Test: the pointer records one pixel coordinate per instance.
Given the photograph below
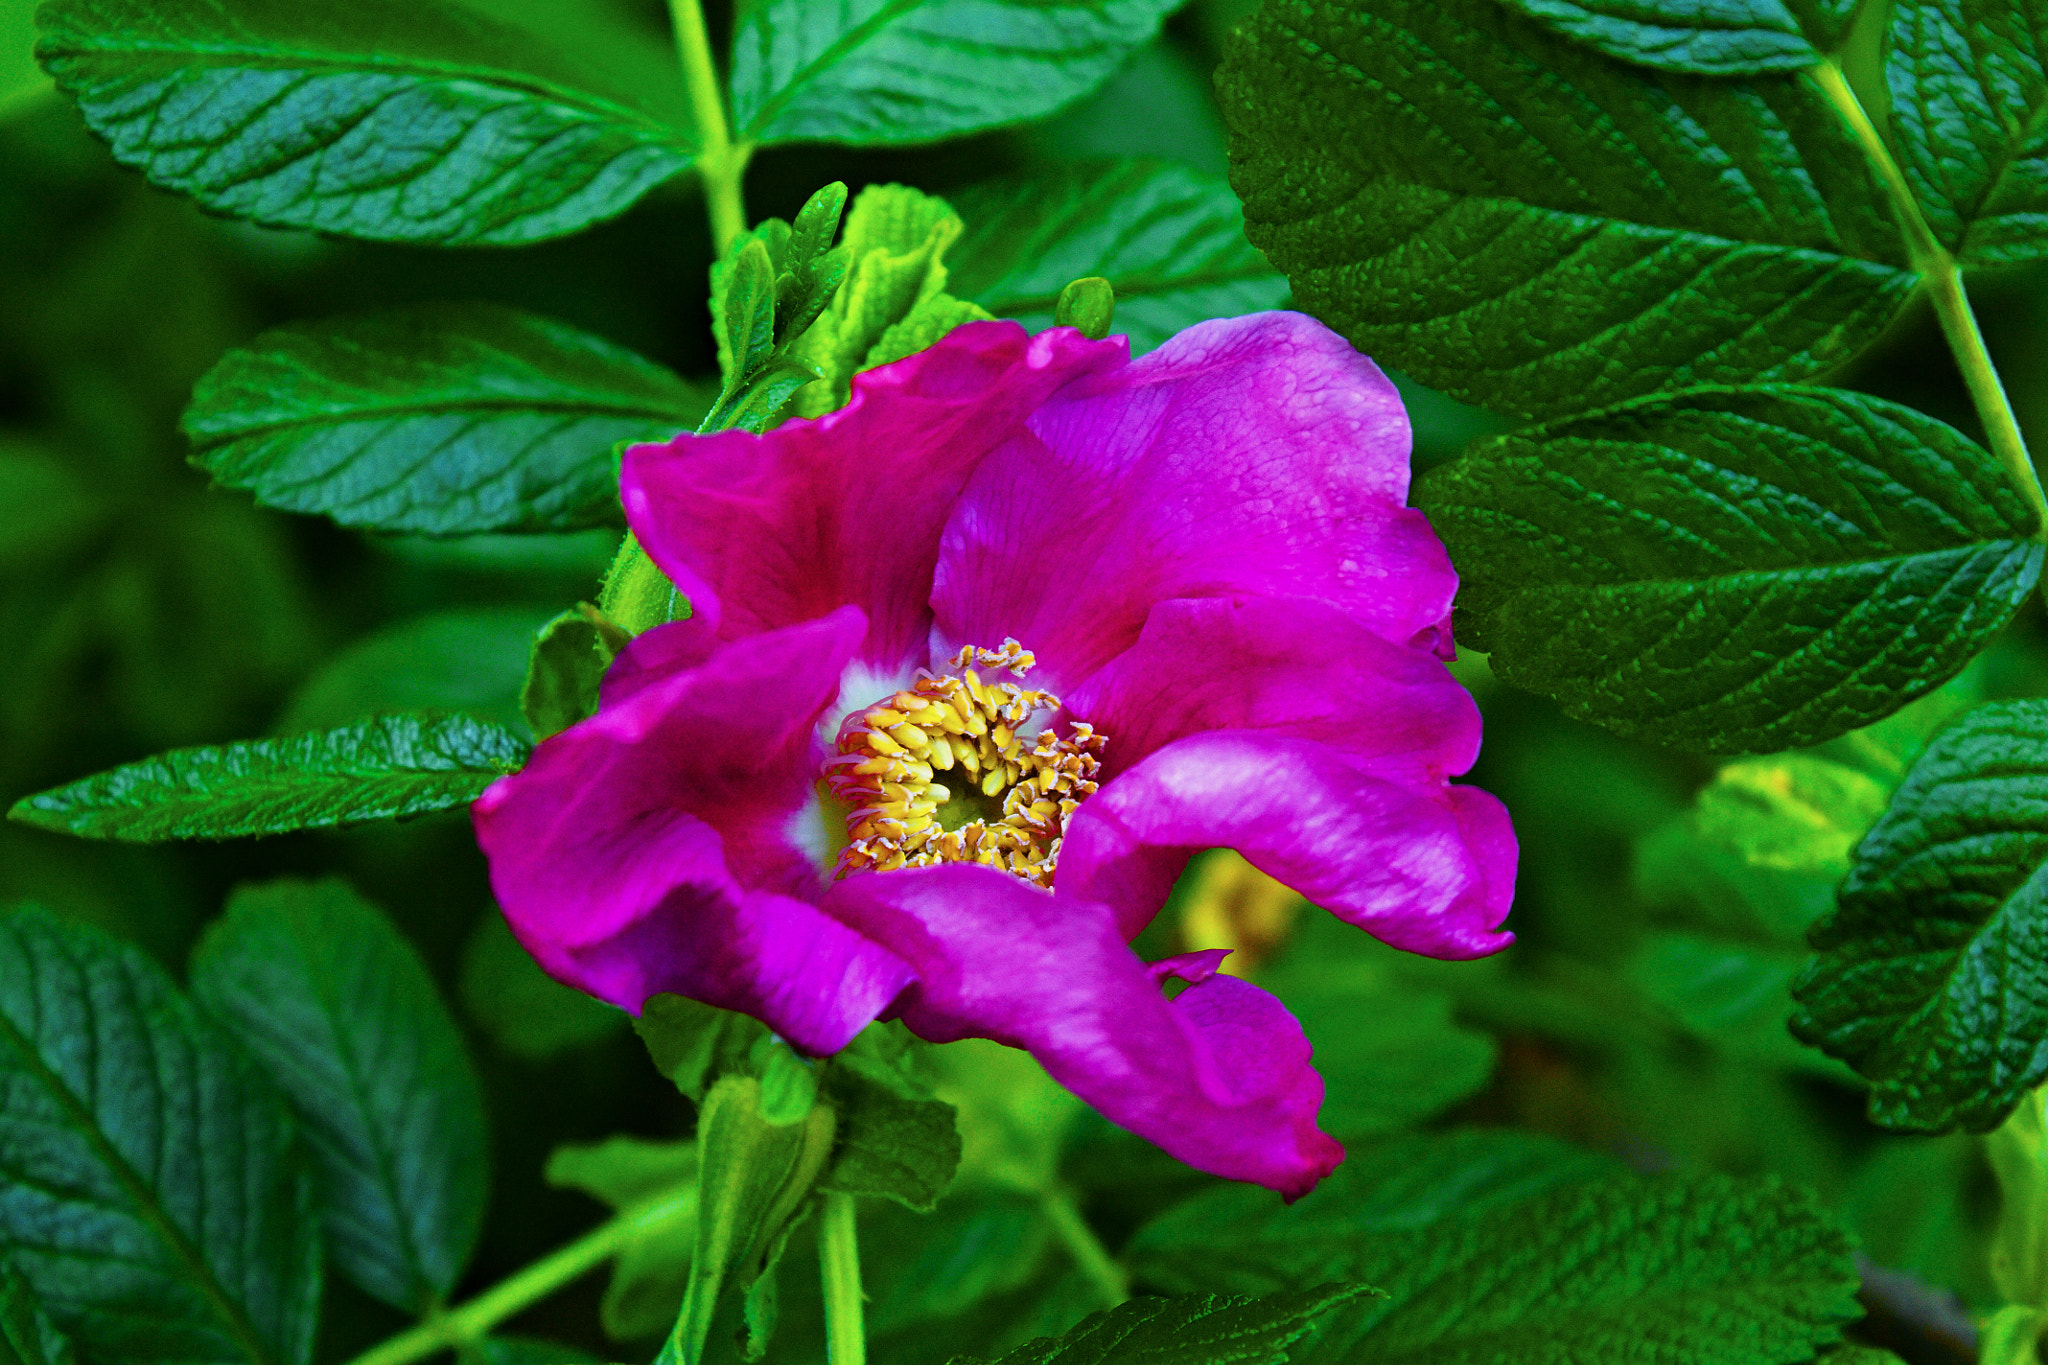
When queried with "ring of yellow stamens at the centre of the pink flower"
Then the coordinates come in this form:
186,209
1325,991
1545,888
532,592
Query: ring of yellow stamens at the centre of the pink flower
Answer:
941,775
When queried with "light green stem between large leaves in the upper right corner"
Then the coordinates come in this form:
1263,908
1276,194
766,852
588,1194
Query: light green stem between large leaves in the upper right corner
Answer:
1949,298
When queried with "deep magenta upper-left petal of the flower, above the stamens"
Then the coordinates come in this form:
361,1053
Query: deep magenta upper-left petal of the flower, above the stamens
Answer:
769,531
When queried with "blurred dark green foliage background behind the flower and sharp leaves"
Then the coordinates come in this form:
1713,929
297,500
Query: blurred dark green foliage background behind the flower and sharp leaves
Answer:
144,611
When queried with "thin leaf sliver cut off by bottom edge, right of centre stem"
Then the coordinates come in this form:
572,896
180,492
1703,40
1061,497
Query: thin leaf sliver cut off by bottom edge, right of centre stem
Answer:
1189,1331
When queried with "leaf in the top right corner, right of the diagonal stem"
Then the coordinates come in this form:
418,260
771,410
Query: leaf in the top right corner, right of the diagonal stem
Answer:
1971,122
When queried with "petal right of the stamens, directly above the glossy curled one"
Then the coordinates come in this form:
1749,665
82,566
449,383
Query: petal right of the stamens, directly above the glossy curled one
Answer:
1287,666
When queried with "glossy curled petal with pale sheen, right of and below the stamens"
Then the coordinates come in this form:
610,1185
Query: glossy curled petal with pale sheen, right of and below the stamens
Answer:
1428,869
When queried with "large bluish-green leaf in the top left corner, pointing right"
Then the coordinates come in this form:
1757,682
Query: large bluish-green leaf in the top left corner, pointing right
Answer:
382,120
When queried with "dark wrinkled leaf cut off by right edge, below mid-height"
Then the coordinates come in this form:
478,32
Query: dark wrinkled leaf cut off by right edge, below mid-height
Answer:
1934,965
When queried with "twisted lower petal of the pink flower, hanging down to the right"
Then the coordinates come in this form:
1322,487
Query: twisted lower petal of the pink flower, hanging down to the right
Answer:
1218,1077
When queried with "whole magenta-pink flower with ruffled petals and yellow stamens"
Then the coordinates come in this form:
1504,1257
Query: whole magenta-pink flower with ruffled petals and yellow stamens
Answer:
835,795
